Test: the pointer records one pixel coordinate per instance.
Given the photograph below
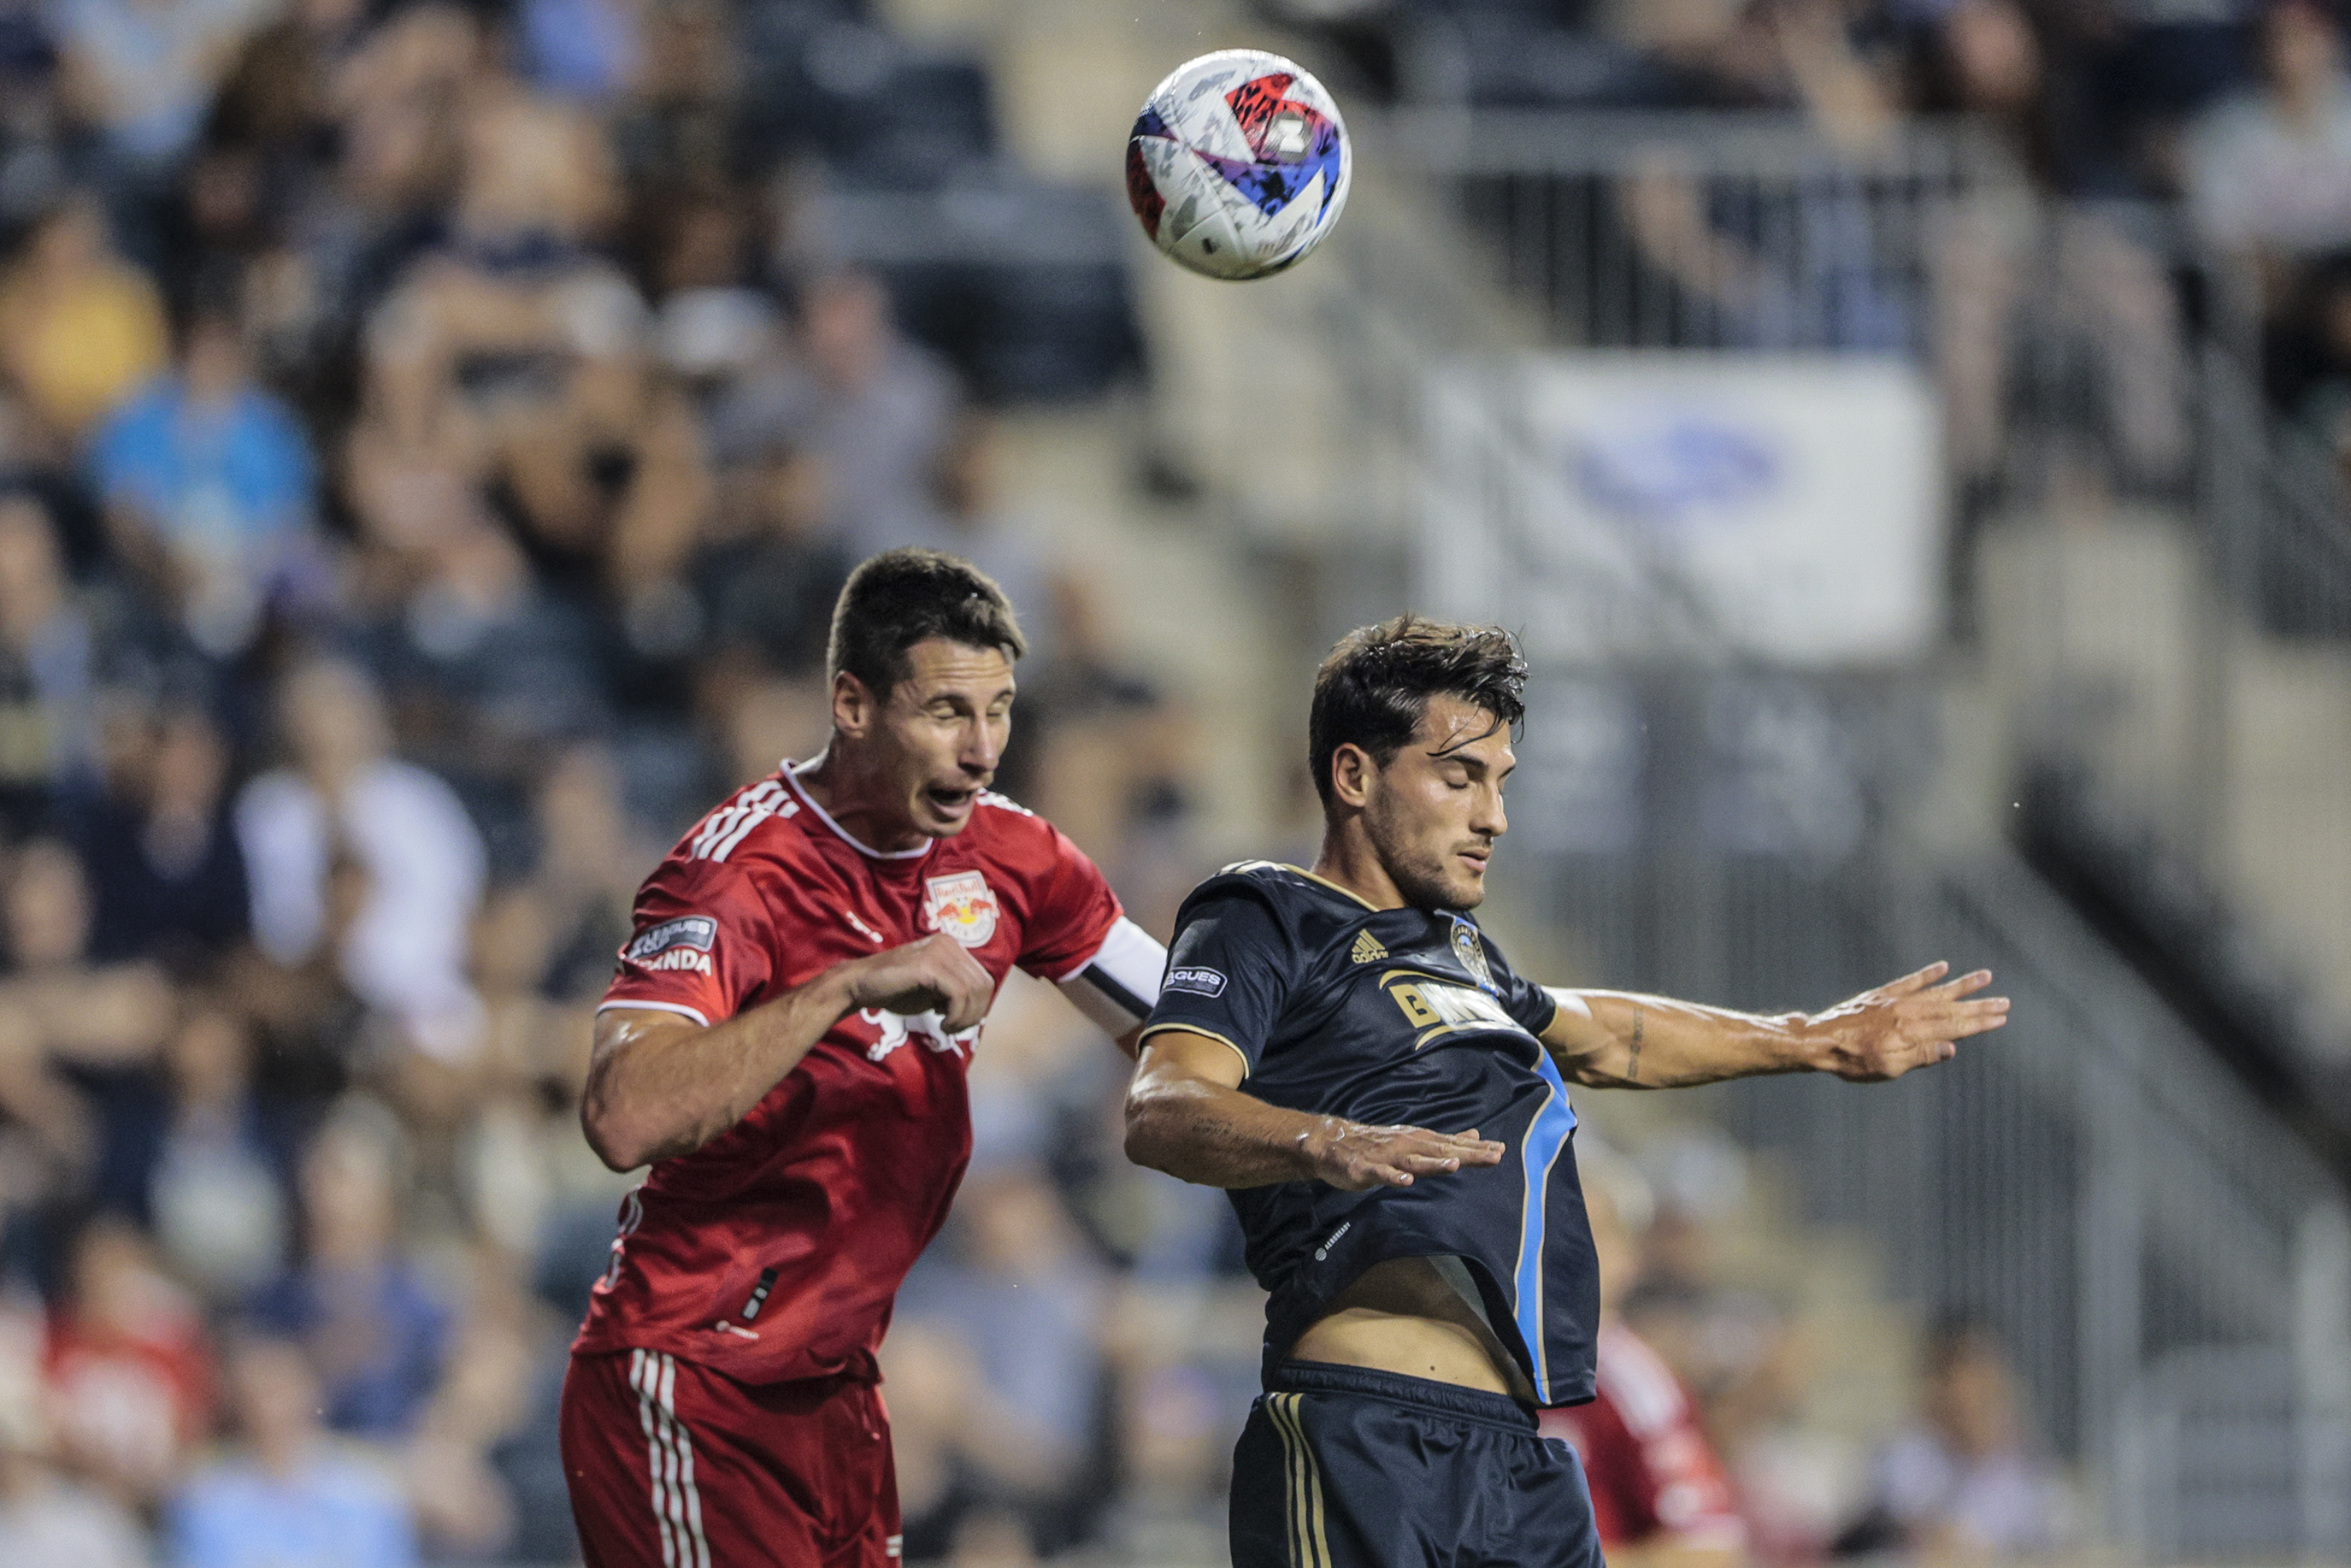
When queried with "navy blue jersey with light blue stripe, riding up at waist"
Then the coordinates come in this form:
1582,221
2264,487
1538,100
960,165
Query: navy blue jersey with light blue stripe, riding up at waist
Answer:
1395,1017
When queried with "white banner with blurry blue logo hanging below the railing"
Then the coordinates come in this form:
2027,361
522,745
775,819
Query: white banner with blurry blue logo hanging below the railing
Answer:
1781,509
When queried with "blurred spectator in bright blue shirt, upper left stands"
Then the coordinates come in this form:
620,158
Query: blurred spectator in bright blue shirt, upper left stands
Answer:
210,490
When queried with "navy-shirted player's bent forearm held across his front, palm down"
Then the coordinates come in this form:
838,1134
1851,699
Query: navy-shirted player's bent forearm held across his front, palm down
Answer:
1186,1115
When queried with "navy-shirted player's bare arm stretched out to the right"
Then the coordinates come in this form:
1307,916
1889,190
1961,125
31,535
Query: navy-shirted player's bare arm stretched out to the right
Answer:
1619,1040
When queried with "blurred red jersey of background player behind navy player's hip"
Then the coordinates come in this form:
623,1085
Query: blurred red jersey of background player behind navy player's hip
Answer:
1652,1468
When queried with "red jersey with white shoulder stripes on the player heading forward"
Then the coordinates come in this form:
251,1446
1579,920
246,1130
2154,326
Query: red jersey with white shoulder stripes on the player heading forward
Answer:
775,1249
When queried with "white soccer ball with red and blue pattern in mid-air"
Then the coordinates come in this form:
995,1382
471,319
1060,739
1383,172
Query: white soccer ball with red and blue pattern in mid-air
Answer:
1238,163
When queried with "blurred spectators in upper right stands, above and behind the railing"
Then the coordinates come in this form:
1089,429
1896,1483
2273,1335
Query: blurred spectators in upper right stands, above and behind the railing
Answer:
2166,135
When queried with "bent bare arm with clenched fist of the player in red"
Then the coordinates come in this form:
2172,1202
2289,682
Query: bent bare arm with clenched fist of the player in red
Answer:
662,1085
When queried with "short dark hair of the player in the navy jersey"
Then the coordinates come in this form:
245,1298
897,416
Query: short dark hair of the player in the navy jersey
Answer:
1379,681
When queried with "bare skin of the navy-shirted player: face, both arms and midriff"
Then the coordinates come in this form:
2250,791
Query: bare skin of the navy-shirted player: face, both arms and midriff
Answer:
1419,833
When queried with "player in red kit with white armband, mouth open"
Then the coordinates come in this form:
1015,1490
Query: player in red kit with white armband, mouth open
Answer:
786,1045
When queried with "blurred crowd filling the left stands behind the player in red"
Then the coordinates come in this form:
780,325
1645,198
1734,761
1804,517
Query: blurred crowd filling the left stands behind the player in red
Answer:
427,469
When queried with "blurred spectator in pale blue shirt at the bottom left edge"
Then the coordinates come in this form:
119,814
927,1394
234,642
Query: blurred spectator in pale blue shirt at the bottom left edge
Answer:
288,1496
